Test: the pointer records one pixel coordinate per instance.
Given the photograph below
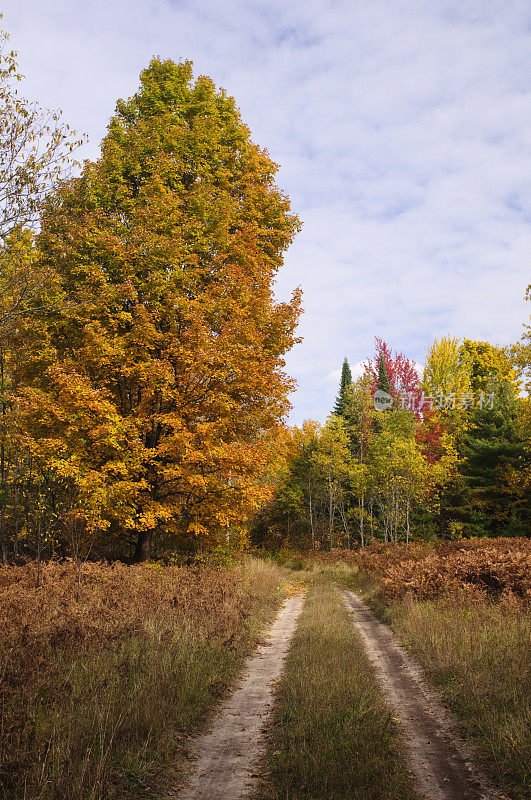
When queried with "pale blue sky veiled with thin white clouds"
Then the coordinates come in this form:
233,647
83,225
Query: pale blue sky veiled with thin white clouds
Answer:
403,133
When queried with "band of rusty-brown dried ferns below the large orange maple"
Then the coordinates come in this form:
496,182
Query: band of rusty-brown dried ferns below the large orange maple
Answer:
111,600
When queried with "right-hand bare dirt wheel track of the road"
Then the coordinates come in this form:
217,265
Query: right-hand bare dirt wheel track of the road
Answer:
439,759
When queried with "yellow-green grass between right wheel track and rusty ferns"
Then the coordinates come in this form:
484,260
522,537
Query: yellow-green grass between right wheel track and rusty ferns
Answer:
478,657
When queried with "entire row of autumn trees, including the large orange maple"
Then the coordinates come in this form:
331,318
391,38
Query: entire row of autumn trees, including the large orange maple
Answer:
142,386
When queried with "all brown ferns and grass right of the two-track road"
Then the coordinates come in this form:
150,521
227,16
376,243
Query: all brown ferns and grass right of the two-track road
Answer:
463,610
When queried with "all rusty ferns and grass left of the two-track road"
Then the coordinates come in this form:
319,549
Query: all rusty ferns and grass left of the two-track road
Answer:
101,684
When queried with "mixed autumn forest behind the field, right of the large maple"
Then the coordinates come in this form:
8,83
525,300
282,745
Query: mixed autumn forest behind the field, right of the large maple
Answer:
450,458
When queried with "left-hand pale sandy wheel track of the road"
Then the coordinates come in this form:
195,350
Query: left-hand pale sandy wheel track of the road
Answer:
227,755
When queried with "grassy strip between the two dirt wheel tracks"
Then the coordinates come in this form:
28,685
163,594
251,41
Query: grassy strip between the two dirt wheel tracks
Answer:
332,736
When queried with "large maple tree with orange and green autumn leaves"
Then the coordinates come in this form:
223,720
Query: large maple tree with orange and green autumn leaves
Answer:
167,248
